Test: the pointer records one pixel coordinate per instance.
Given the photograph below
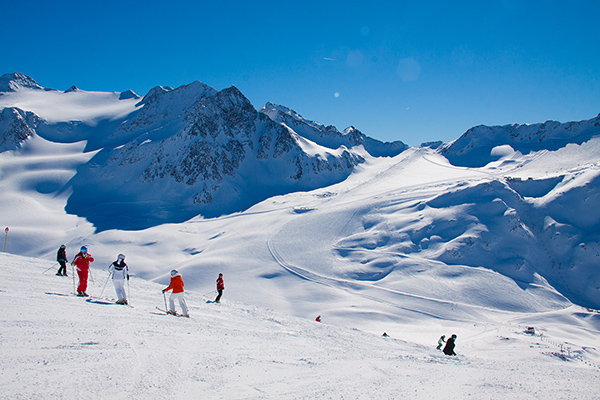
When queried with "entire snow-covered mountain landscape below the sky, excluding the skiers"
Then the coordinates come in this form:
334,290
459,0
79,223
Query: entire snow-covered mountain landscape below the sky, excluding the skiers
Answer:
408,244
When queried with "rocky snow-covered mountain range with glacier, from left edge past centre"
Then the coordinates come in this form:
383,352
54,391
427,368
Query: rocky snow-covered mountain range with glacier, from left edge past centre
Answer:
177,152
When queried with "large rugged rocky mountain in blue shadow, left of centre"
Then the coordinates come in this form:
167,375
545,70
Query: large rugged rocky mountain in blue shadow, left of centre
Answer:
193,150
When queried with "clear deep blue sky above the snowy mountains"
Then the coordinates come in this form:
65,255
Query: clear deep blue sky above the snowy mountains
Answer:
396,70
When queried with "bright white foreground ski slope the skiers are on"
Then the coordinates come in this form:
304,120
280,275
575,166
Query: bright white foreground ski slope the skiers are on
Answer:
55,345
